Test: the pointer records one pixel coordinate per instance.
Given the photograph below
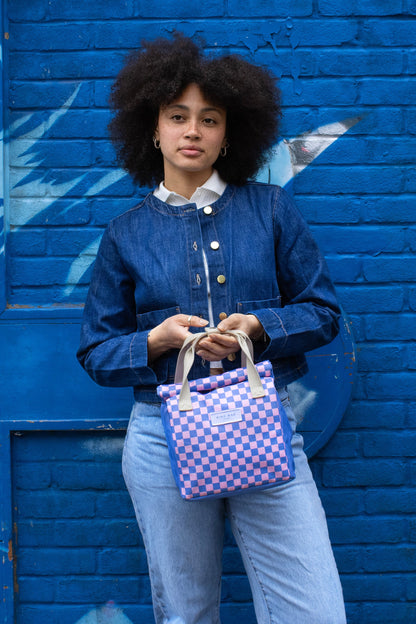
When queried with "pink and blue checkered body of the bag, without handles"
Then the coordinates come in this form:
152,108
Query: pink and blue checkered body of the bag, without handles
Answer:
218,460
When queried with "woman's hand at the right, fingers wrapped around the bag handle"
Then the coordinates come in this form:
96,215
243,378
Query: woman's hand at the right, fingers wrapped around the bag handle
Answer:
216,347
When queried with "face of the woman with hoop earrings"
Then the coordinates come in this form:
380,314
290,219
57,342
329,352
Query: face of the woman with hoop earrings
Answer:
191,131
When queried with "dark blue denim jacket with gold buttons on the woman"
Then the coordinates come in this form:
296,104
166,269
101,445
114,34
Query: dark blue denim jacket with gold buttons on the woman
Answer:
149,266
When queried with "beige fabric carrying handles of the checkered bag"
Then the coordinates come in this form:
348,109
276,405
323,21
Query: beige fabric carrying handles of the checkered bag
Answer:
186,359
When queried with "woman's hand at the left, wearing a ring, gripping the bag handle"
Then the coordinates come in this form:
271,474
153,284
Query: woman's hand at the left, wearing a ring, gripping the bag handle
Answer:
171,334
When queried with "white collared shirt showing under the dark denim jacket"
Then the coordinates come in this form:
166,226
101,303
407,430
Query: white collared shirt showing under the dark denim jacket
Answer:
204,195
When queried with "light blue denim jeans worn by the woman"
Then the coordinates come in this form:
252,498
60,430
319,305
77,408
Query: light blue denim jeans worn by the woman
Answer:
281,533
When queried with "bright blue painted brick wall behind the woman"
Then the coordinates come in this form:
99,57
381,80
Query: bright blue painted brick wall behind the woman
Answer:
77,542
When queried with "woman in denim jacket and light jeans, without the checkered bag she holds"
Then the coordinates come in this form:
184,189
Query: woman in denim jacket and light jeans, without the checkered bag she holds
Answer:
209,247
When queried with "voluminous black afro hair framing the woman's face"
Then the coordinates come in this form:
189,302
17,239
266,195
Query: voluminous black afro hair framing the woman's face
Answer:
158,73
